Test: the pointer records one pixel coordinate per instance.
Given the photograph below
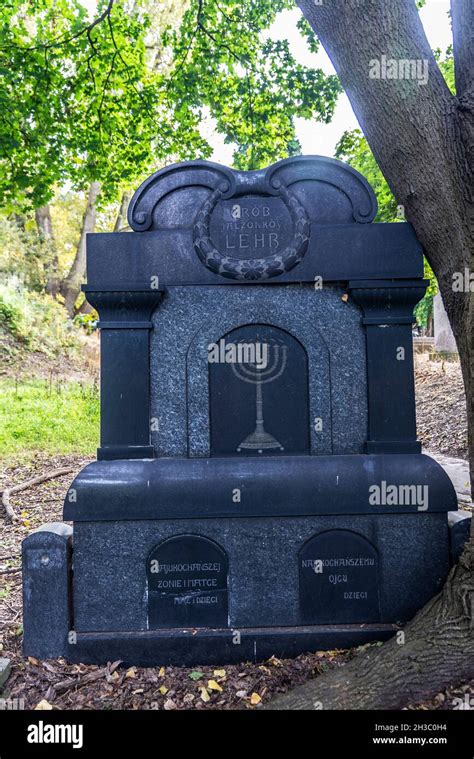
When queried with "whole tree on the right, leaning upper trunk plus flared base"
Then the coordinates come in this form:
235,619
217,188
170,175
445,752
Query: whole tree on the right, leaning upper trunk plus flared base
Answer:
423,140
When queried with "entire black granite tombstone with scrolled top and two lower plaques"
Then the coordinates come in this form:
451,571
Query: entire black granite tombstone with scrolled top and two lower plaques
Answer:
259,487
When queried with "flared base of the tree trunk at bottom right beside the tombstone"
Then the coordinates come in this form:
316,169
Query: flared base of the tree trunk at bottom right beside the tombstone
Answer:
437,650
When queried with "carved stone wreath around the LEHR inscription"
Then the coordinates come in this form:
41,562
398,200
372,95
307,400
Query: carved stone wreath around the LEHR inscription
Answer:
252,268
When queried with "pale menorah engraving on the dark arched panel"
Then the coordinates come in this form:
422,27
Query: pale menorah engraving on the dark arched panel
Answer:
260,440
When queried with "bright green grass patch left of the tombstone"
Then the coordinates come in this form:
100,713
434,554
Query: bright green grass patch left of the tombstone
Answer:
36,415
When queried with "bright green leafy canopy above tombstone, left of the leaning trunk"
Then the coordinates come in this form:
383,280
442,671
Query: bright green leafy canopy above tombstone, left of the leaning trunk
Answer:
111,98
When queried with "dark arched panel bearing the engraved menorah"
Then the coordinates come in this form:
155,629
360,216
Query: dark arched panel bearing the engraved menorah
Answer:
258,393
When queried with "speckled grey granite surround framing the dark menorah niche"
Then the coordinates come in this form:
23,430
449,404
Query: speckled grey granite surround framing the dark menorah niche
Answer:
328,328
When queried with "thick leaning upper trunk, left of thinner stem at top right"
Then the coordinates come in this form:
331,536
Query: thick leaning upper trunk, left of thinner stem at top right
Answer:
417,130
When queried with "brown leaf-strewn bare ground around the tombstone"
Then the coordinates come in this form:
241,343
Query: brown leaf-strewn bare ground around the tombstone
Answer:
59,685
